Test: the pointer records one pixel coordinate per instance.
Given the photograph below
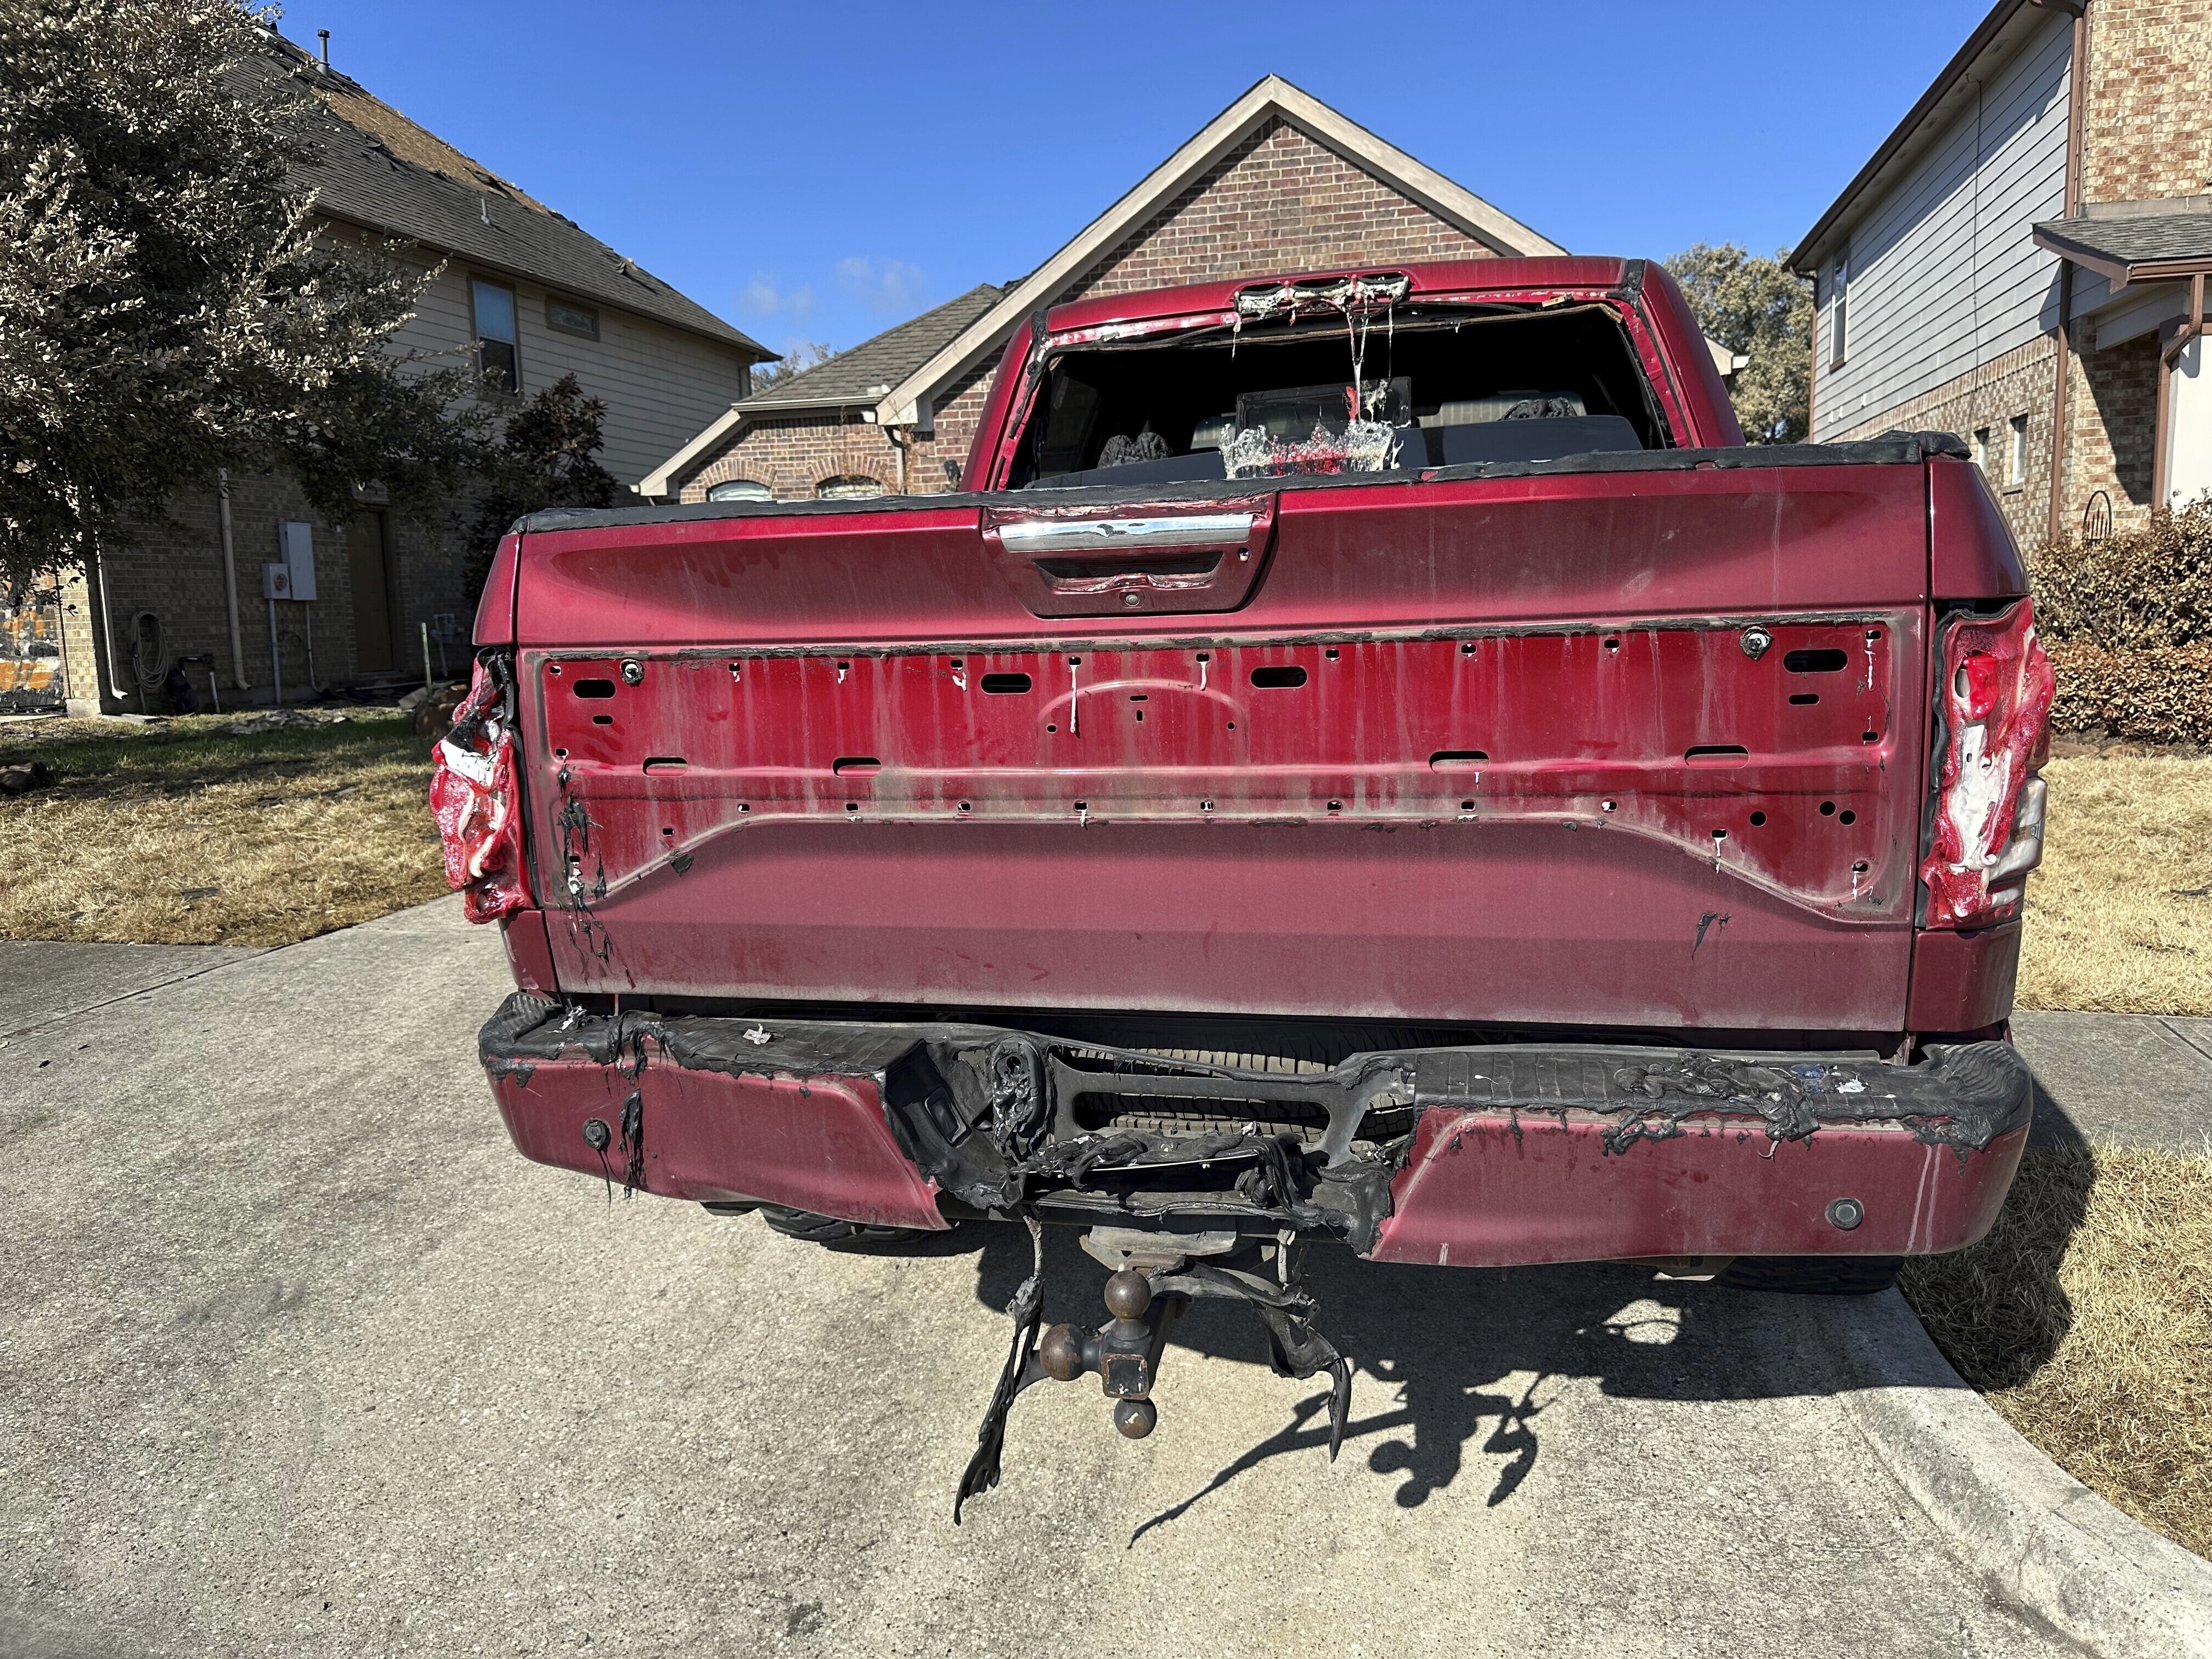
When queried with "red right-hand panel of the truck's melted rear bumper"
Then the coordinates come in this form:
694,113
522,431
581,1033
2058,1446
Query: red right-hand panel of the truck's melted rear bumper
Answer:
1485,1191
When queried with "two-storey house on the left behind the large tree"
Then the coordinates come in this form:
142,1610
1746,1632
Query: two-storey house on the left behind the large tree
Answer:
525,293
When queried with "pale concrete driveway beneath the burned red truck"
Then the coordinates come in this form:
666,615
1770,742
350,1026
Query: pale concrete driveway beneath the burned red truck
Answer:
302,1359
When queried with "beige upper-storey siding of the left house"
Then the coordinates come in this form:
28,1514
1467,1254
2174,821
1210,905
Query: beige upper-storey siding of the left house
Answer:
660,384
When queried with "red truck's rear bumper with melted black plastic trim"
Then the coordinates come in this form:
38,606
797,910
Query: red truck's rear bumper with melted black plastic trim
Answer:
1514,1154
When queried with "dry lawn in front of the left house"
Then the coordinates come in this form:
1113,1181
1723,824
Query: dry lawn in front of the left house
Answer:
180,835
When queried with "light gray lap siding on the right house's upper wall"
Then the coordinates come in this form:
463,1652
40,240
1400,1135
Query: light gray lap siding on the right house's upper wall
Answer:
1945,273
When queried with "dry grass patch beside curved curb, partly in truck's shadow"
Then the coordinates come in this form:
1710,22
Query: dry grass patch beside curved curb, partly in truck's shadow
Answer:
2087,1322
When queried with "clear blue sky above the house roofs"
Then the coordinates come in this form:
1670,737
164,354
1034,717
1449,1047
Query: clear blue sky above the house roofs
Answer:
824,171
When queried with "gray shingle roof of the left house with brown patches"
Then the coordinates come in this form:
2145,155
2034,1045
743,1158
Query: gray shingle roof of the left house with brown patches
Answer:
386,174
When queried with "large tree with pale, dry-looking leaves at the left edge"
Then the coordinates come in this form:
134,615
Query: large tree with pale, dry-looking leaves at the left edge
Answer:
167,302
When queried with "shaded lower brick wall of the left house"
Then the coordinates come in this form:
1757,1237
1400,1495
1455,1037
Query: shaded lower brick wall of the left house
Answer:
176,572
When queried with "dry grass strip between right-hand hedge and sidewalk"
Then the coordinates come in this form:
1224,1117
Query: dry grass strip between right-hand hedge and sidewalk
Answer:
2120,917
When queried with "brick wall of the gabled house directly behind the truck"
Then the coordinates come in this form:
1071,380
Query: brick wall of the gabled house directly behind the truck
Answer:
1277,202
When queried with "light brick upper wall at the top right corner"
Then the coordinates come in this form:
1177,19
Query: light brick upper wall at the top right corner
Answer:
2149,121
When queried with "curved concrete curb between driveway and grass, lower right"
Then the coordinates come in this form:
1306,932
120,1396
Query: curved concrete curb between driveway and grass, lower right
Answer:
2047,1541
